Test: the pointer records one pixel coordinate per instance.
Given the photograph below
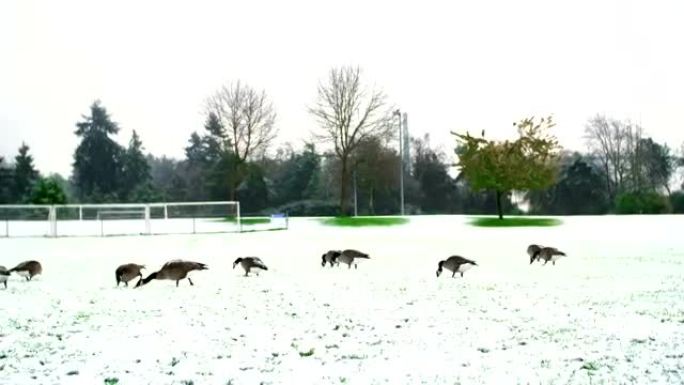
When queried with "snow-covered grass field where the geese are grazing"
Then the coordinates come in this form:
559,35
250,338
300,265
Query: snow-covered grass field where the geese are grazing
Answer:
612,312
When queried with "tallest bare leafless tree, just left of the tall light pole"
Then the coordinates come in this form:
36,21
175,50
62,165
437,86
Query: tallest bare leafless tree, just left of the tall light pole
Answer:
348,113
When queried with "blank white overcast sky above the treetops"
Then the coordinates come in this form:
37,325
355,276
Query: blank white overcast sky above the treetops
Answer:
451,65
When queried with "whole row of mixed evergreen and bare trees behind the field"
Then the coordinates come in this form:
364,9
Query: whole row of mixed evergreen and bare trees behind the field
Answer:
622,170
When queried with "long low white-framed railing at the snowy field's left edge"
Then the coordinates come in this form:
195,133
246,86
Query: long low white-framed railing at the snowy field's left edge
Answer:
120,218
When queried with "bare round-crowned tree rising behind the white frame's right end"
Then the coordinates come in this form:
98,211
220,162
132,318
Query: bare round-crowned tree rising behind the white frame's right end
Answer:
247,117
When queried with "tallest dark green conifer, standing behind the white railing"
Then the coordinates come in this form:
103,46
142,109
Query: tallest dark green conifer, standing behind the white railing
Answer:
98,158
